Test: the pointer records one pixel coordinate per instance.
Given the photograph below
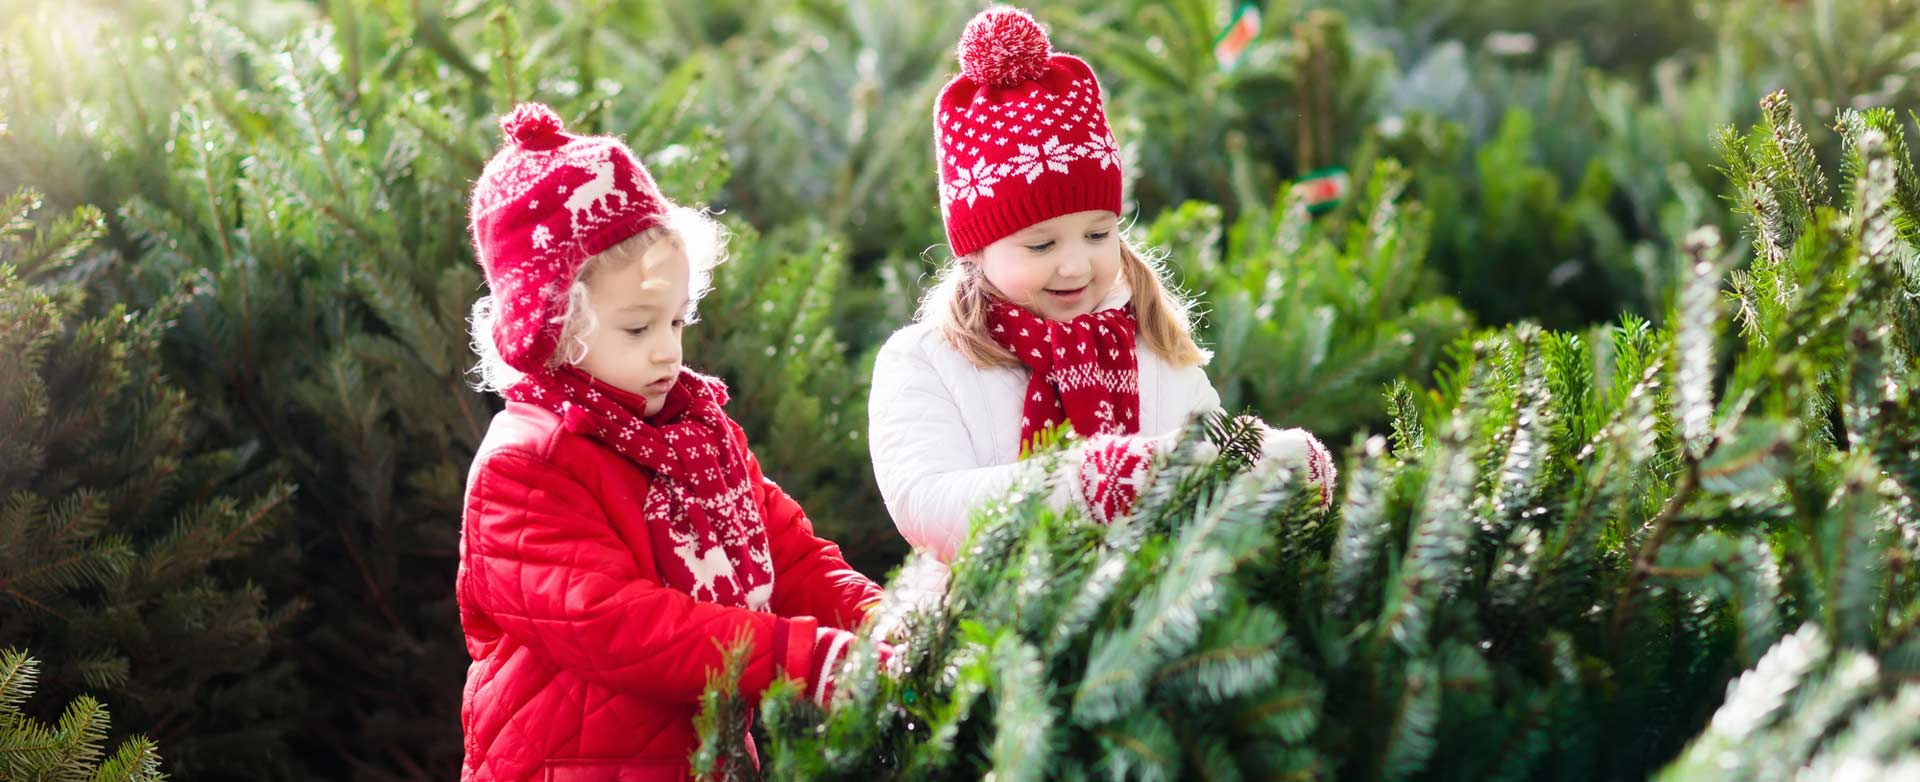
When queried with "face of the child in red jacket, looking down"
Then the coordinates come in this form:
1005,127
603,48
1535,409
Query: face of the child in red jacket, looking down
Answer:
642,312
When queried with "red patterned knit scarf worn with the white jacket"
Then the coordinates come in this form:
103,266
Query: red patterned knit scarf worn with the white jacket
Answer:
1086,372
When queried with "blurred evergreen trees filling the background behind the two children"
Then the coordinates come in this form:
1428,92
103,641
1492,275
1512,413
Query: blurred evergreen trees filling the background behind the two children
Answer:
235,504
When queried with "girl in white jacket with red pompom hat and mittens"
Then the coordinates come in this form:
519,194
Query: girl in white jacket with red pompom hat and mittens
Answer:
1044,318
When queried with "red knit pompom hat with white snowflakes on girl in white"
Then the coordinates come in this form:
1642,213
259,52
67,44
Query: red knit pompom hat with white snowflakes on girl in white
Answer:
1020,134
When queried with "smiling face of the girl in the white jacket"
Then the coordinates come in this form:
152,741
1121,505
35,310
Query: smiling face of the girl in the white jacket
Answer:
1061,268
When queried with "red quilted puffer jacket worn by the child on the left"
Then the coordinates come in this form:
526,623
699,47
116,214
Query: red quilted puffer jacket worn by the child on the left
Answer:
585,666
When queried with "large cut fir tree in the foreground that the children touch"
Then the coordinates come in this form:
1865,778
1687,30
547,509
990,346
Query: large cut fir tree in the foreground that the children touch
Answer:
1552,568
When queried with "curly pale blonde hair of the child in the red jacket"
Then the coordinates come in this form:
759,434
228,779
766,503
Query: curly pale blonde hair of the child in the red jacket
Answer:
694,232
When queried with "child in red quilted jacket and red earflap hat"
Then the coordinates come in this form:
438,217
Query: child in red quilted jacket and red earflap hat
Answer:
619,533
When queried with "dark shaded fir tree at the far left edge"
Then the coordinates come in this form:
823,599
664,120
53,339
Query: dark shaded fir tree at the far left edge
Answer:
126,549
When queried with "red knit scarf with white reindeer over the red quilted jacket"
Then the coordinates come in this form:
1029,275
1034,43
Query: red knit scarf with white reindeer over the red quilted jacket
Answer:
708,533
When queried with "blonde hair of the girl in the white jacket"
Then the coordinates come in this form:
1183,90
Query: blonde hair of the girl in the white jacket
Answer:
961,306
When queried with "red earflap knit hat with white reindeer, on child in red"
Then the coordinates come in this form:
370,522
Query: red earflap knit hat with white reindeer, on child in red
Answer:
546,203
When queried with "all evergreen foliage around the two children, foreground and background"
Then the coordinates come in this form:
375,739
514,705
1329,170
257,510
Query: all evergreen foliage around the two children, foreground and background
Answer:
1598,460
